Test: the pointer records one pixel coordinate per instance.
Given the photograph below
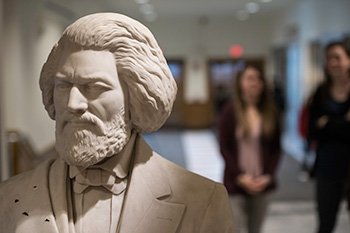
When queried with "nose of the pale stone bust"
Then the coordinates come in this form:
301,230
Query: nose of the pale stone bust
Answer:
77,102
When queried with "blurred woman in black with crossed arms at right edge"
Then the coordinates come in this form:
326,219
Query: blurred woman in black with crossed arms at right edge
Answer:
329,126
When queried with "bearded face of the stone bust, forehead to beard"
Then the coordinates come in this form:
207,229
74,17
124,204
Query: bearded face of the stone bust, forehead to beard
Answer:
91,123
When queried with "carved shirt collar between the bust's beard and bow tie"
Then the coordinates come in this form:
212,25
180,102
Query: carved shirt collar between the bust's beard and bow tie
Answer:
119,164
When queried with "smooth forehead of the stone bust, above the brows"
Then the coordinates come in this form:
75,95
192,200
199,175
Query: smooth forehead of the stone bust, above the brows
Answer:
86,64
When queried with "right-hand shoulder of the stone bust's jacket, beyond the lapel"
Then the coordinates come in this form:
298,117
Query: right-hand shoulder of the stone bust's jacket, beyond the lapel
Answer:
206,201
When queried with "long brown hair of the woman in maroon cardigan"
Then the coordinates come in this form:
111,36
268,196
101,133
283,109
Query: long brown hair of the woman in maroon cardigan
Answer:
265,106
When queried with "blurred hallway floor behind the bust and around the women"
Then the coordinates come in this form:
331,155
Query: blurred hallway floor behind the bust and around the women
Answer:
292,209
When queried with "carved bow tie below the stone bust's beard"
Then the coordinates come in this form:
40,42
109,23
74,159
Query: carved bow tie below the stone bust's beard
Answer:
98,177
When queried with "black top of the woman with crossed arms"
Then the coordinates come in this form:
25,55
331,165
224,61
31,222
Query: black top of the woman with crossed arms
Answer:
332,140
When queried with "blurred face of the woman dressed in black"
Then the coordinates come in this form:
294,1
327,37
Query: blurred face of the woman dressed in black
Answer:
337,62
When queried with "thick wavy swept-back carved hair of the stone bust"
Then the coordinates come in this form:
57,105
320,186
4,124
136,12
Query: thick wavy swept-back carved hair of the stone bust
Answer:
139,60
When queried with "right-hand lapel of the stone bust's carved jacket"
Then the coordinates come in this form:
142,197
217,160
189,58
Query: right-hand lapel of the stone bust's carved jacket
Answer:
144,211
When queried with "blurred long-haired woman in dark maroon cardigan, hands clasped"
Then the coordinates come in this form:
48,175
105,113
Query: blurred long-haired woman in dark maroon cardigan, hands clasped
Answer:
249,136
